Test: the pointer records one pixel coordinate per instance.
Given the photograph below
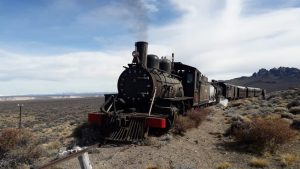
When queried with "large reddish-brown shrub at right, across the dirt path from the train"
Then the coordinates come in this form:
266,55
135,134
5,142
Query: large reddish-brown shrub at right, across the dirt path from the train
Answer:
265,134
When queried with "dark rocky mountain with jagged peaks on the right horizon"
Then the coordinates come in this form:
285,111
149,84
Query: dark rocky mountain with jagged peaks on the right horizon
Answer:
273,80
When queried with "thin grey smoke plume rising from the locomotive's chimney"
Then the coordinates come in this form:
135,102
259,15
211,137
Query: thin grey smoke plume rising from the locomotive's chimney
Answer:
139,21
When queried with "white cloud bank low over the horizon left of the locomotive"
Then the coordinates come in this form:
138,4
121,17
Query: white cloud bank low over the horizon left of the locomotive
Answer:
71,72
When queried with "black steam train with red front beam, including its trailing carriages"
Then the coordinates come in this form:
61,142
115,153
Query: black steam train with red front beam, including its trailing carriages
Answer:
152,91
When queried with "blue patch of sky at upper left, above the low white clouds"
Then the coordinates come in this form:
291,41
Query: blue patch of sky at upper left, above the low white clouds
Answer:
72,25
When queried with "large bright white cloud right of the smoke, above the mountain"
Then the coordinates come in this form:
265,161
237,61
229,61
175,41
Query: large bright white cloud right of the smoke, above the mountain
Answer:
228,42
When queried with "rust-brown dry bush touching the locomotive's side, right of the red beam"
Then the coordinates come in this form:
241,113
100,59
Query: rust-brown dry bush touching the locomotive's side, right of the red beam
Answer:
192,119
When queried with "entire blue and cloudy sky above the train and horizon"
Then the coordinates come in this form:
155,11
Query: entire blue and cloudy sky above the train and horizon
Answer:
63,46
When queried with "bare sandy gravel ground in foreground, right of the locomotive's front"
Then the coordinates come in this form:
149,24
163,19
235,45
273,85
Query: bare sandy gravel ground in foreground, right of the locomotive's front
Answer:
201,148
